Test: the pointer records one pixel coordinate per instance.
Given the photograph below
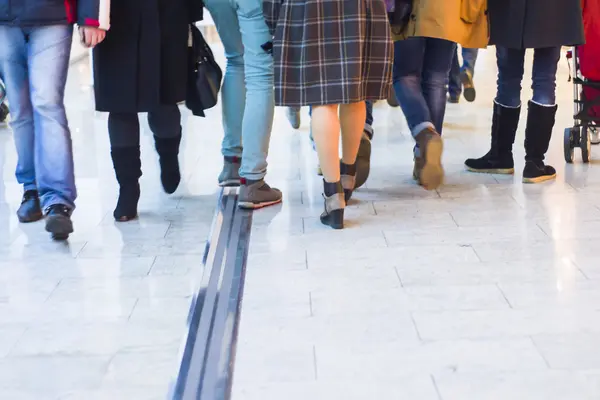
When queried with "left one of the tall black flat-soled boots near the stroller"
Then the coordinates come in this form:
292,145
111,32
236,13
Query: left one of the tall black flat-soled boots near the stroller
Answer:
499,160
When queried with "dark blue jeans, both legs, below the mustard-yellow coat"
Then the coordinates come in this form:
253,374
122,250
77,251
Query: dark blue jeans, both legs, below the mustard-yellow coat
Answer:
421,68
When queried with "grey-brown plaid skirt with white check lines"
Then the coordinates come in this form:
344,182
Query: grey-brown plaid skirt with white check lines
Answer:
332,52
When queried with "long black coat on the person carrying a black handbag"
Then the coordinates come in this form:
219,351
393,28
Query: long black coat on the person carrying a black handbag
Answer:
143,60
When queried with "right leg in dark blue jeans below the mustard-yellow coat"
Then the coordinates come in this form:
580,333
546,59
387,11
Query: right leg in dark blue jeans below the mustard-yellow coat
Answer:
437,62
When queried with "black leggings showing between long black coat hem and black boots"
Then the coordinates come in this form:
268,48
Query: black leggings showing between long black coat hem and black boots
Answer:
124,128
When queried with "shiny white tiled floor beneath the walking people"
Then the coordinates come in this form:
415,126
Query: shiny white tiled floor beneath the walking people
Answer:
484,289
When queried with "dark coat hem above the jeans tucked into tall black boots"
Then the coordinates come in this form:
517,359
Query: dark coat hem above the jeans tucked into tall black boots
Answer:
534,24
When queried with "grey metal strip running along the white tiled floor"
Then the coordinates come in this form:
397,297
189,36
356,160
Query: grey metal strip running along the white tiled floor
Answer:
208,354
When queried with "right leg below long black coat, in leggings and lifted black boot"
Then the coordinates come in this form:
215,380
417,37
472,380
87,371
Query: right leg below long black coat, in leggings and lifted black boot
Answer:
165,124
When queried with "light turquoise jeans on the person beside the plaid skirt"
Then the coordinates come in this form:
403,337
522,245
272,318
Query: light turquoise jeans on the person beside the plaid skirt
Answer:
247,92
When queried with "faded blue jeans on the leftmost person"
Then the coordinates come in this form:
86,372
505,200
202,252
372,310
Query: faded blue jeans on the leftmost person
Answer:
34,63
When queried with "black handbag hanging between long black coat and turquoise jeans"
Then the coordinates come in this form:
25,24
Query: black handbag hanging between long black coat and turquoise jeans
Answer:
204,75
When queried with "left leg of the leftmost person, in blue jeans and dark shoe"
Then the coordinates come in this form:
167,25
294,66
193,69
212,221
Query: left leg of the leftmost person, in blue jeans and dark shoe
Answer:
14,72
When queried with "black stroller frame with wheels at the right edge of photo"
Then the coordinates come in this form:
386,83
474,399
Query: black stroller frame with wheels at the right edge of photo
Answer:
580,134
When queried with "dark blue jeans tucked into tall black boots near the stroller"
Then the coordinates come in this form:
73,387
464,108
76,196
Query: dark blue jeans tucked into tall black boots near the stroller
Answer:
510,74
